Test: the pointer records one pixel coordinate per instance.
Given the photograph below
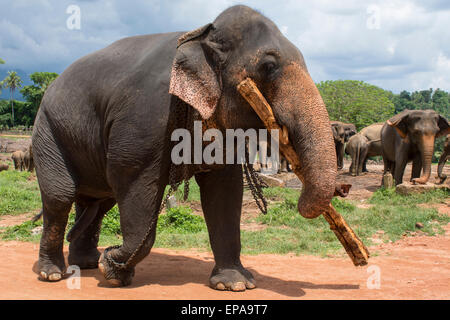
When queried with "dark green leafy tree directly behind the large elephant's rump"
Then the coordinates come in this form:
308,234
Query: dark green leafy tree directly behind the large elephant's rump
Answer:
33,93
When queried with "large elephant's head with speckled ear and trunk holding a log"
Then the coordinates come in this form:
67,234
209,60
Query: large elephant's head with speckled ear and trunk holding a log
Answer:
241,43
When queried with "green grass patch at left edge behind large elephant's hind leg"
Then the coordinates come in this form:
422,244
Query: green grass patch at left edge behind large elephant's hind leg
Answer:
19,192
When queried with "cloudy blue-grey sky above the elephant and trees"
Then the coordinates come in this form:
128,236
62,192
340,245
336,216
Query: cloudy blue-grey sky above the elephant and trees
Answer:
398,44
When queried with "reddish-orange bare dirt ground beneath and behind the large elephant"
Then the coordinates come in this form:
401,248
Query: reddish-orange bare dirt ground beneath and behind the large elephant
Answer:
412,268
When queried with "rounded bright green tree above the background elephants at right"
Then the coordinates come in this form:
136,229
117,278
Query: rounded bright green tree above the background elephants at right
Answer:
356,102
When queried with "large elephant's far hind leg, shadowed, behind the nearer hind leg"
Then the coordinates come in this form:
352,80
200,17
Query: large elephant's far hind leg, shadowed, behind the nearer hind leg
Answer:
83,250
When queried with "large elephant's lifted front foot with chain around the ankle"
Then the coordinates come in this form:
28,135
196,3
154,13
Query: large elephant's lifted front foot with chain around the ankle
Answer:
113,273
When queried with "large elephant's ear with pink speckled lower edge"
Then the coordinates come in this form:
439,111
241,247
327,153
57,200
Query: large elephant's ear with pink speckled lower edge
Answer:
193,79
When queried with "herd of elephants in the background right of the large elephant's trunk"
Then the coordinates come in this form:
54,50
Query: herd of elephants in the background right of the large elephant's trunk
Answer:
407,136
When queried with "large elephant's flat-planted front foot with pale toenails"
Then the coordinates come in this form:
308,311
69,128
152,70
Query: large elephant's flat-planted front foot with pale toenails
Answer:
236,279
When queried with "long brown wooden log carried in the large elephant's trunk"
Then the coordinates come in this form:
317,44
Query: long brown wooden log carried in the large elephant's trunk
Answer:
354,247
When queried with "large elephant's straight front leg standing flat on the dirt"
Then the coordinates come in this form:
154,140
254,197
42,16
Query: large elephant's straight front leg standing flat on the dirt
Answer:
221,195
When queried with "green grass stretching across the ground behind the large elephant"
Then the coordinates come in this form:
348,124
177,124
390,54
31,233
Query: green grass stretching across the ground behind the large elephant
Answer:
282,230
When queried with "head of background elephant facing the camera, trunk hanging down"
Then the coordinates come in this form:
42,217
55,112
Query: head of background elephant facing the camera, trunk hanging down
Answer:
420,128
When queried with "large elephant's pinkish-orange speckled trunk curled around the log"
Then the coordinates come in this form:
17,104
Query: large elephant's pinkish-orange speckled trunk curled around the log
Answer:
299,106
